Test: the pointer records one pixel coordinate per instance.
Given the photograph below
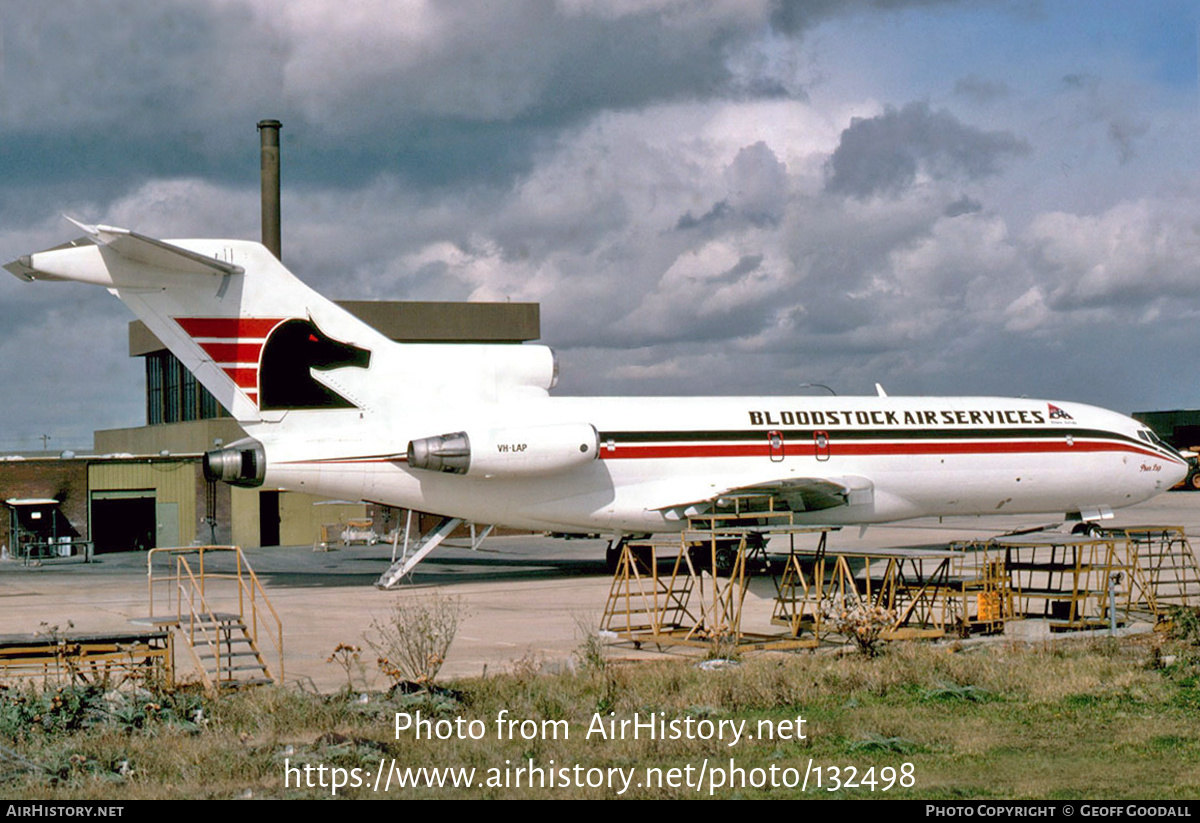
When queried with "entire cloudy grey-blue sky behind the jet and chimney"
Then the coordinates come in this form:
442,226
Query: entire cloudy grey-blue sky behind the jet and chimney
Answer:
706,197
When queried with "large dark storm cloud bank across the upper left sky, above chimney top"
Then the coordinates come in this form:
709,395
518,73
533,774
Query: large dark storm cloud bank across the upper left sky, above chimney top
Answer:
131,91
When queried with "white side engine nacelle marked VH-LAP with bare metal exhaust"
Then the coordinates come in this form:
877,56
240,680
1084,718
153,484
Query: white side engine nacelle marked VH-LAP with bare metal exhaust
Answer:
508,453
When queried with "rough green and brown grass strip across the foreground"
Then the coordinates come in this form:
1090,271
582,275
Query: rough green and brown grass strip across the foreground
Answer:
1065,720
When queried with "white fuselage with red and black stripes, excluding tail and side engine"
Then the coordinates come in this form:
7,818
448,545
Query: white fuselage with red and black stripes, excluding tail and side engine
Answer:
921,456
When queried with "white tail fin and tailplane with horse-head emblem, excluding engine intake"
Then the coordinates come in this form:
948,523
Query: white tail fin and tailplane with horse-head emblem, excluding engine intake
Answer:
253,334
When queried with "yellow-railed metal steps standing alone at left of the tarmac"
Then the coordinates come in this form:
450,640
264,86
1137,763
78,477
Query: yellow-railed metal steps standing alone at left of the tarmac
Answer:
215,604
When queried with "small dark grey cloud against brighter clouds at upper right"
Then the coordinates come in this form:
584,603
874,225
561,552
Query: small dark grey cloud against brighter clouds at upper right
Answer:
883,155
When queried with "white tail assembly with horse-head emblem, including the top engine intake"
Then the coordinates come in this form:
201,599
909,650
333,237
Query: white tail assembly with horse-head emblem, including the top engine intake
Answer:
265,344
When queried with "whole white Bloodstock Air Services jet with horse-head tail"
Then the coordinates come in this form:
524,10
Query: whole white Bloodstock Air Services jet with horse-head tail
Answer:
334,409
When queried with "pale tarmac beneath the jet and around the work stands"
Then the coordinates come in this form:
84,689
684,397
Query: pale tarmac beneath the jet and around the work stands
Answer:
526,599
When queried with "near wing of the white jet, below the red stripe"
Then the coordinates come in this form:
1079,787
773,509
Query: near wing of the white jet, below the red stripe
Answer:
785,495
